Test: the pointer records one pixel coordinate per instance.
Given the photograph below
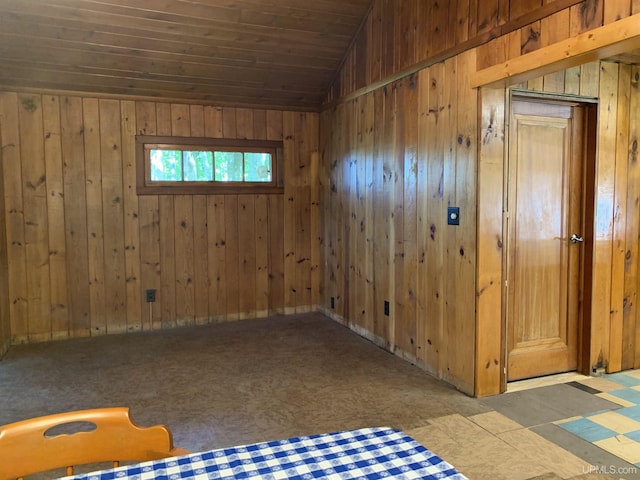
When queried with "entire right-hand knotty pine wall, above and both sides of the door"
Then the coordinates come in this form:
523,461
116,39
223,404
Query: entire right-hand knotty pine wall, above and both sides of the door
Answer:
385,235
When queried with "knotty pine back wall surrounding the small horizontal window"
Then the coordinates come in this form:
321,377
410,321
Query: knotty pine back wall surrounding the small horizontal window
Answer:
83,247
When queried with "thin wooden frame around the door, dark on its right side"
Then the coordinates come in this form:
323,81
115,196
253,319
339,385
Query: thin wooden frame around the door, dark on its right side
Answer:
589,127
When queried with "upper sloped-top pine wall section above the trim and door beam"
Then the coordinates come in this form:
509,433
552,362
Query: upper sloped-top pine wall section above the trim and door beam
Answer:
398,40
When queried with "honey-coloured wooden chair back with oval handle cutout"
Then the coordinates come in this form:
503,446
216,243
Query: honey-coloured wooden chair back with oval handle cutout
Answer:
33,446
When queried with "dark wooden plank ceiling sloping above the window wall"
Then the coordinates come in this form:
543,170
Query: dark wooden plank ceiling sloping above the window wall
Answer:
271,53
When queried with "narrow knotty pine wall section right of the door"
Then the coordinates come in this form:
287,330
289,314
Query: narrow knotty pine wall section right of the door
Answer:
615,342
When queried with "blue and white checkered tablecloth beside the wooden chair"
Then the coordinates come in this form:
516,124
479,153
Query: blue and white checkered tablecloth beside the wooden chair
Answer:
368,453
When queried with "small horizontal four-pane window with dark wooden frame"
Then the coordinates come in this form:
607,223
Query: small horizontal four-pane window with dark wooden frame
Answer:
186,165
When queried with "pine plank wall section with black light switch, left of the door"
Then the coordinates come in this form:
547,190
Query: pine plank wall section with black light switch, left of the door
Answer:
394,160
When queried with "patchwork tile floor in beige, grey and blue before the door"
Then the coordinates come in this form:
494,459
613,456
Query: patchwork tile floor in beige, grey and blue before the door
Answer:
578,427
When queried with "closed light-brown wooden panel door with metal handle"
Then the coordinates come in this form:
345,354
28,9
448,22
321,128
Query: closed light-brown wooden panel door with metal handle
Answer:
545,209
